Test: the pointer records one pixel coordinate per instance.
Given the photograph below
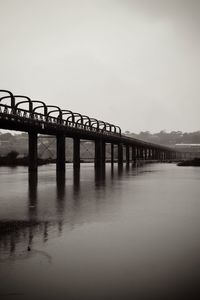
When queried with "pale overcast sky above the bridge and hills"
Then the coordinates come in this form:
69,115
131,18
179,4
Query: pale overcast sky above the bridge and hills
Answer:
133,63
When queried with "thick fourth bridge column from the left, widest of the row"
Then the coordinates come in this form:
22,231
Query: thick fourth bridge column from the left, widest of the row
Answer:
100,154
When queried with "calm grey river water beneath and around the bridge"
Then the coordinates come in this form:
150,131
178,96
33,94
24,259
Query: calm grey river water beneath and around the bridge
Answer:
132,235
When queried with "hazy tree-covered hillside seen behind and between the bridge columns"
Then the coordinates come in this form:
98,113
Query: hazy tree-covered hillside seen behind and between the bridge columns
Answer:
47,146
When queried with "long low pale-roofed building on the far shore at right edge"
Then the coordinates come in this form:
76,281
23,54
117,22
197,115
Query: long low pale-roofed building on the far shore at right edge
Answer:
188,151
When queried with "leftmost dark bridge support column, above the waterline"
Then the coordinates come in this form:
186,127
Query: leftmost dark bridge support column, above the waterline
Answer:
32,143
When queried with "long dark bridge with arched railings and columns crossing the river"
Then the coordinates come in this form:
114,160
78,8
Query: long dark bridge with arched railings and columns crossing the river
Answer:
21,113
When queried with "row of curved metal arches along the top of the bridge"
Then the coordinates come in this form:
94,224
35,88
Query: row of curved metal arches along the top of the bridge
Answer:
38,110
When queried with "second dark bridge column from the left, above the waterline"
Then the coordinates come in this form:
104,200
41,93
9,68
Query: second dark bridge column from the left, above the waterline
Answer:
60,162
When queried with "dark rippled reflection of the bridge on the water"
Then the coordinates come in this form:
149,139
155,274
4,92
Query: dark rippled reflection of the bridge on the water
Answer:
70,208
